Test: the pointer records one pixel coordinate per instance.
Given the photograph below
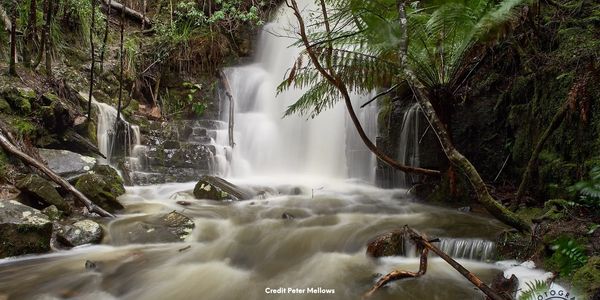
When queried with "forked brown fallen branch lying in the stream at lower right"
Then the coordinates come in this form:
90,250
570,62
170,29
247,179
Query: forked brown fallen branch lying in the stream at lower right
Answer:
426,245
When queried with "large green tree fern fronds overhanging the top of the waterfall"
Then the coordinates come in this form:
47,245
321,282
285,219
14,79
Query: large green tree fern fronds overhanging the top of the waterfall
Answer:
446,42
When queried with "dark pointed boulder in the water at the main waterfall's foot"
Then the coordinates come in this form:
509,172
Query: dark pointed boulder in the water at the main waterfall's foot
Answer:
215,188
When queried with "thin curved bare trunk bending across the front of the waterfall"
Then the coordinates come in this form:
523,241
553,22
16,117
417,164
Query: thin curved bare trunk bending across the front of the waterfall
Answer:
333,79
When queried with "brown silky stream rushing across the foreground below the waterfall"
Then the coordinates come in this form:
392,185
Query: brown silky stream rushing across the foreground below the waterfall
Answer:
238,250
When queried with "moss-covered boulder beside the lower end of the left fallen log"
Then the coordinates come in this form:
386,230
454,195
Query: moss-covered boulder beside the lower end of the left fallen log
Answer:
101,190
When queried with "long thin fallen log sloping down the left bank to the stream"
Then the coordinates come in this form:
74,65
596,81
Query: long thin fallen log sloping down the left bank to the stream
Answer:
8,146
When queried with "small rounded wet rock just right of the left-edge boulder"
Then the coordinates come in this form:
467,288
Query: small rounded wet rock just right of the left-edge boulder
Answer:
80,233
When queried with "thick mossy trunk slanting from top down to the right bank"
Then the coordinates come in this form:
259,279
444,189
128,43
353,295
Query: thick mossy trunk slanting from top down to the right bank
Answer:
454,156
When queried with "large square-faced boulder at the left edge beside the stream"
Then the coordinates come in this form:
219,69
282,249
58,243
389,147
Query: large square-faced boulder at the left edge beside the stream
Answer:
23,230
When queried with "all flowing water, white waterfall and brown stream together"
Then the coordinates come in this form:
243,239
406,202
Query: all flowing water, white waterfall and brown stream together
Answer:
248,250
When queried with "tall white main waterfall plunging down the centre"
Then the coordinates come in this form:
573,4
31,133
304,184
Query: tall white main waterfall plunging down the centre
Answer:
268,144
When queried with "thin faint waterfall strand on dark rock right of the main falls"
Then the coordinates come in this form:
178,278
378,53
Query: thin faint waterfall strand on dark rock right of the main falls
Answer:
410,135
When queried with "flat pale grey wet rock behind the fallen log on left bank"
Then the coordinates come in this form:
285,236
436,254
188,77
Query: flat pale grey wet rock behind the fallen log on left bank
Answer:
66,163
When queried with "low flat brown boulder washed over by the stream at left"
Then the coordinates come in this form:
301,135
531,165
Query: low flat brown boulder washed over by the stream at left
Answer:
168,228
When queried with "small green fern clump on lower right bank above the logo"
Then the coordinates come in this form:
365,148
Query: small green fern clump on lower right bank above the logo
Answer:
568,255
